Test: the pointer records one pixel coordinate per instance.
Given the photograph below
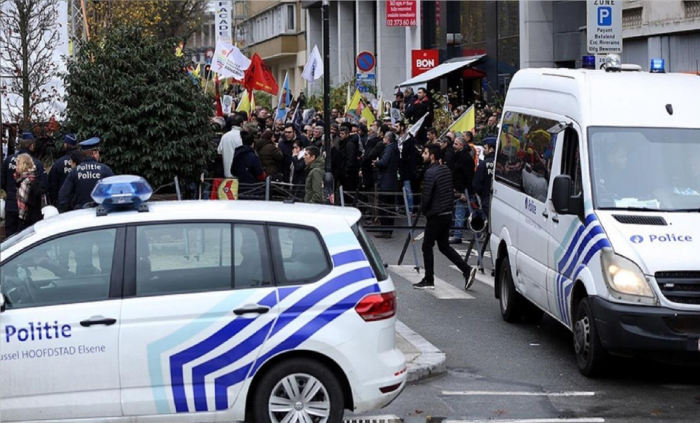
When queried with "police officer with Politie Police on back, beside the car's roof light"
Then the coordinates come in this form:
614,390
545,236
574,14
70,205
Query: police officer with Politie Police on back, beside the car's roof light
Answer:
76,190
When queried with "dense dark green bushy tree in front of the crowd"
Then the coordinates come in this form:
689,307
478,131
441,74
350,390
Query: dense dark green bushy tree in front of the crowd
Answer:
130,90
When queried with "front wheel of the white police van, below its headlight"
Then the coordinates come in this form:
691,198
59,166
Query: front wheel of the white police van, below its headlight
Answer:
591,357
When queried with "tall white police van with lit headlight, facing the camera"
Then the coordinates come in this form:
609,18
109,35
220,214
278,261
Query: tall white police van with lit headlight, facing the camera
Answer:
595,214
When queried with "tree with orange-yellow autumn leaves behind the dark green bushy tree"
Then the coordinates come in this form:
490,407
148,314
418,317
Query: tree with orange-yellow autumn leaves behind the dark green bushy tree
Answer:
162,18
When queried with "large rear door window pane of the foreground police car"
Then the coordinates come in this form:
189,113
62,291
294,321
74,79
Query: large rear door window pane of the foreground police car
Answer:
183,258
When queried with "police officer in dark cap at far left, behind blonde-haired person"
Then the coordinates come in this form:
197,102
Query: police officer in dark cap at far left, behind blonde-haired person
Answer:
7,181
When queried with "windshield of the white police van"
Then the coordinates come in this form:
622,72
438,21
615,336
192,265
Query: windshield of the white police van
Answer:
645,168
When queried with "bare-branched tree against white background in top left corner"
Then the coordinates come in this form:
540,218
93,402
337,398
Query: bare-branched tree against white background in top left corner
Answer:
29,35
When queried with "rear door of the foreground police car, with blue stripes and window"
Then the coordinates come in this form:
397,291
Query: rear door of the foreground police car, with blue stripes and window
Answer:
200,305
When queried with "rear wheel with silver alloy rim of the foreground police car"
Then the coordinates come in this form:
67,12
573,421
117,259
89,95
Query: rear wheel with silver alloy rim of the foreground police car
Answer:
298,390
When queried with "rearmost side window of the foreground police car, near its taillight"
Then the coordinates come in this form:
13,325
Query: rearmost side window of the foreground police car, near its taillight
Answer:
299,255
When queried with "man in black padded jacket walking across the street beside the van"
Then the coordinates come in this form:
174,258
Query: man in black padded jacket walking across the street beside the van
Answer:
436,204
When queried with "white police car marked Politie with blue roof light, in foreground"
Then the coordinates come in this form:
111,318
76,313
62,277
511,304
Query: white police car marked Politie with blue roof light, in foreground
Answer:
195,312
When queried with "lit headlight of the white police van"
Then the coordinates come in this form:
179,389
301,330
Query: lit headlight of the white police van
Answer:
625,279
